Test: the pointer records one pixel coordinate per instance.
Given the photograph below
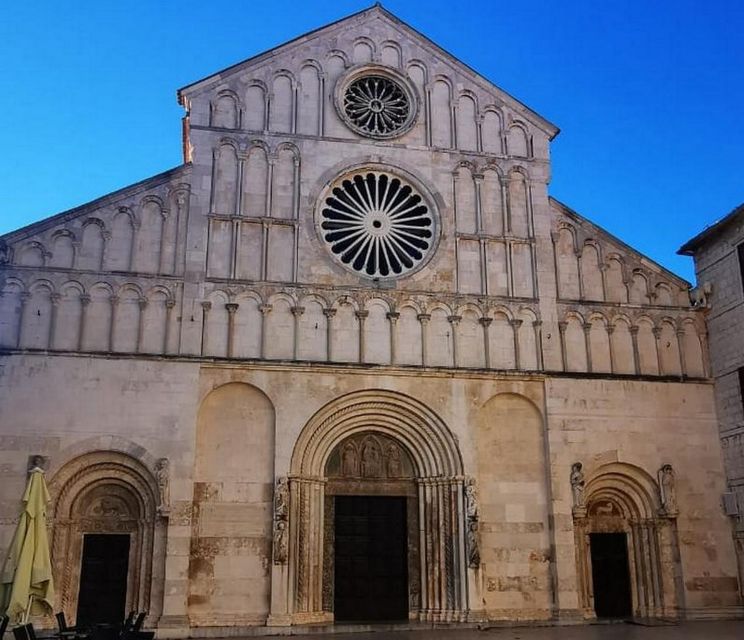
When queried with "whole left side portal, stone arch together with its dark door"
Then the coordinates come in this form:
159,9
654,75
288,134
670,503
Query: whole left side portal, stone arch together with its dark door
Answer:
105,519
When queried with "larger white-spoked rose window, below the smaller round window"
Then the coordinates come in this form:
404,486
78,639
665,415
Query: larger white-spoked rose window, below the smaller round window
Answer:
376,223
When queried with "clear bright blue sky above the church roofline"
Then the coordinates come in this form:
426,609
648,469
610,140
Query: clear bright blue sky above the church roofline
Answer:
649,96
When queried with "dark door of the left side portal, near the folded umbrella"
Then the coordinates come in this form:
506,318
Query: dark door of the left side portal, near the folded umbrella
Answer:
103,579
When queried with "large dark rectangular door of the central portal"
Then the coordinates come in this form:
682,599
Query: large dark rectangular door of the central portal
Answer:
371,574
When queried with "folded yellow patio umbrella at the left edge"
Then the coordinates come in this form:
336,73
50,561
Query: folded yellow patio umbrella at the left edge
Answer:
26,584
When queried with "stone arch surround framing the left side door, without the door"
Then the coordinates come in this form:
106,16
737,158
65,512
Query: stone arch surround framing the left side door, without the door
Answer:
108,492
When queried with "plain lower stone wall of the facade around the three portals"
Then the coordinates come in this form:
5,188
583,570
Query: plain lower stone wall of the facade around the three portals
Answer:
230,430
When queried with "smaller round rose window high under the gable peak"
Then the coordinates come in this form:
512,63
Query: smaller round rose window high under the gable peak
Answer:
376,102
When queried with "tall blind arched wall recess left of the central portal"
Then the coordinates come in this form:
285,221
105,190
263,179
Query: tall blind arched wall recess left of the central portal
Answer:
235,452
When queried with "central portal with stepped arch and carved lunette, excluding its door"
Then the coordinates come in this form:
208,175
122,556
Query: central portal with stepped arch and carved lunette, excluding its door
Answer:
379,444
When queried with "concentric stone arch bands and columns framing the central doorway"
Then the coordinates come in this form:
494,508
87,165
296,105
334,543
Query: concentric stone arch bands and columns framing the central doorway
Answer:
437,471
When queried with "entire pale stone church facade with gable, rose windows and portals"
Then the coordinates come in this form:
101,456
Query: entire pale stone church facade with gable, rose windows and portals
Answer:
351,362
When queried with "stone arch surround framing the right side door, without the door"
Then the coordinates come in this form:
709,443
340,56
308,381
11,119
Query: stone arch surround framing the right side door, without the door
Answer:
624,499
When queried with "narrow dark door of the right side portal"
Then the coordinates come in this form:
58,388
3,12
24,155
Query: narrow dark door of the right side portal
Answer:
611,575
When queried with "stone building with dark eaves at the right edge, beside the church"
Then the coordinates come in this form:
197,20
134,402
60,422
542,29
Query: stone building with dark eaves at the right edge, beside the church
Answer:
719,264
